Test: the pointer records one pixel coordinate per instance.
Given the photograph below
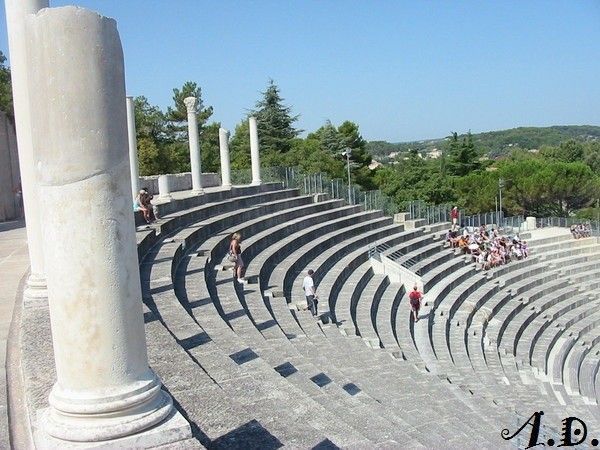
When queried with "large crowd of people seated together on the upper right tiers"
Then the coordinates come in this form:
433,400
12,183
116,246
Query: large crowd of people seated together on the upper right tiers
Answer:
487,247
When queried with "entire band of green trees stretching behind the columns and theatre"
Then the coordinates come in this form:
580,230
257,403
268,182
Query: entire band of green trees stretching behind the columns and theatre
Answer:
561,179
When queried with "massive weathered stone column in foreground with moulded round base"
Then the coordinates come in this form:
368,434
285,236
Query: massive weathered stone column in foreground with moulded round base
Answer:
104,389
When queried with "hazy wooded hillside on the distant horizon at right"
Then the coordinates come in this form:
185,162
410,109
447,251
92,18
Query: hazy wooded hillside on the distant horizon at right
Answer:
495,143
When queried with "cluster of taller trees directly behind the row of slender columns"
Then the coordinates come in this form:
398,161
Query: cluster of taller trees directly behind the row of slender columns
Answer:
163,148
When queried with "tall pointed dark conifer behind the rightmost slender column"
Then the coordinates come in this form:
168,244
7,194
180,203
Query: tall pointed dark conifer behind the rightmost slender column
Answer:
275,122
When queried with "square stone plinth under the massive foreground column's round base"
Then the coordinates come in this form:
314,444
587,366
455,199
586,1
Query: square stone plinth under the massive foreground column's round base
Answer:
171,430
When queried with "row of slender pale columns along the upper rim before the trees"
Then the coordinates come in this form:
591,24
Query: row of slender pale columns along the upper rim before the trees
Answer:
195,159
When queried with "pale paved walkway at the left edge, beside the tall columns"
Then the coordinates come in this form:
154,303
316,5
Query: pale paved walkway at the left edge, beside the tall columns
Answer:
14,263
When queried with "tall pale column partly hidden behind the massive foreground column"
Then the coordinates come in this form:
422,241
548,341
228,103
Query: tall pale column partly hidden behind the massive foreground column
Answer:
16,14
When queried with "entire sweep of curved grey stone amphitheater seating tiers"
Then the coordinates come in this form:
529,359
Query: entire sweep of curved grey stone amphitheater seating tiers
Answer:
249,367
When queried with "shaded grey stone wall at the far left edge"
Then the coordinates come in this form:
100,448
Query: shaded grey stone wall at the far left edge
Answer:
9,170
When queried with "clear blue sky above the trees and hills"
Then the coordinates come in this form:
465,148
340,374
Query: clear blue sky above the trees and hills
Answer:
402,70
